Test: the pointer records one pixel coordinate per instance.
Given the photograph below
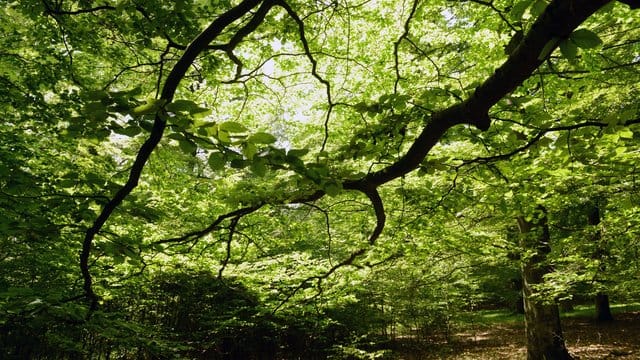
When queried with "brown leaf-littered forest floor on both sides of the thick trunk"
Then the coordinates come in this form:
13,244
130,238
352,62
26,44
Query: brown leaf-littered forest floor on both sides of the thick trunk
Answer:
584,338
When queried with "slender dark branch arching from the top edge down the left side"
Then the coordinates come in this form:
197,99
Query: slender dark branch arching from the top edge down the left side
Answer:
198,45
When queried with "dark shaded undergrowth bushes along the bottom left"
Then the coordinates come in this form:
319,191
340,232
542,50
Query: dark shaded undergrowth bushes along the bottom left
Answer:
194,316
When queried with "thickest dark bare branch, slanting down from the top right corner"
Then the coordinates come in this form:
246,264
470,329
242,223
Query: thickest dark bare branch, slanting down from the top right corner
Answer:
559,19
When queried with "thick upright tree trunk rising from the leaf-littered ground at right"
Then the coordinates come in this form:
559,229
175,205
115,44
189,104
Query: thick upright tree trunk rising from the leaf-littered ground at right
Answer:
542,321
